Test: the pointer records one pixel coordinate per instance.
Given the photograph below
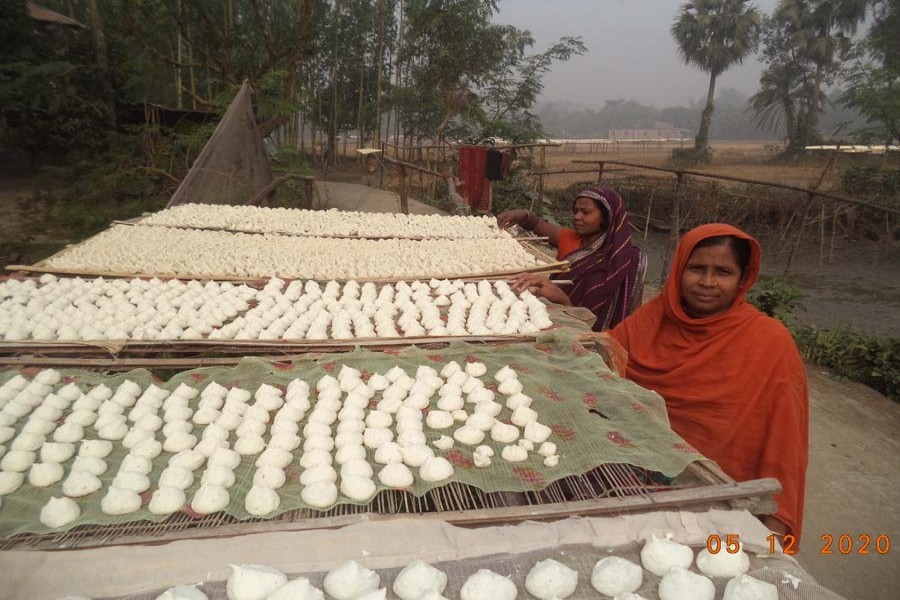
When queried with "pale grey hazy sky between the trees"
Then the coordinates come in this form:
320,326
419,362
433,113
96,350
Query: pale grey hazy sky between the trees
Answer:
630,53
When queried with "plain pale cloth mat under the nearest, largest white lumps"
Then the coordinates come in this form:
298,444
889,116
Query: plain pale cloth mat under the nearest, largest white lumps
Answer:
508,550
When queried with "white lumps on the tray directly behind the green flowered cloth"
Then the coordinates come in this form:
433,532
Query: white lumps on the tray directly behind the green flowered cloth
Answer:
77,309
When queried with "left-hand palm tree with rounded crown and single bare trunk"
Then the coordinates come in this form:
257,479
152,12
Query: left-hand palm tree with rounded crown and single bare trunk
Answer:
713,35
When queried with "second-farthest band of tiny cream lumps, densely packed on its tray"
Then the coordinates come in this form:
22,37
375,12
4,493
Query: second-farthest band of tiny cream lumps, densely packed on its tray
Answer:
202,253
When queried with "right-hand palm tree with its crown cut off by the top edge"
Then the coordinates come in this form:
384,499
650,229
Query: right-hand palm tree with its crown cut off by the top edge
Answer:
820,31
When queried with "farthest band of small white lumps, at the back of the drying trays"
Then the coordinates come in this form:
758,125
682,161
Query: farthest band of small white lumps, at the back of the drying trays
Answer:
325,223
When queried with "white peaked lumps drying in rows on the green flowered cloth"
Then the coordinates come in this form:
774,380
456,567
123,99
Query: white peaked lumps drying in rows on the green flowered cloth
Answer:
222,411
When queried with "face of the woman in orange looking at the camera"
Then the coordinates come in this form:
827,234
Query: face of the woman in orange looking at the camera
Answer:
711,281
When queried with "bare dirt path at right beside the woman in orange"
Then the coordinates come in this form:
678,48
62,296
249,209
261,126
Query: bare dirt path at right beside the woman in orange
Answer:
852,486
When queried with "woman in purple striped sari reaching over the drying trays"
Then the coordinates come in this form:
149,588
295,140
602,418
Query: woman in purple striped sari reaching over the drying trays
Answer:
605,265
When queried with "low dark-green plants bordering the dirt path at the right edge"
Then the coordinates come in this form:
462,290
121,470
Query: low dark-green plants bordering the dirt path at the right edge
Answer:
867,358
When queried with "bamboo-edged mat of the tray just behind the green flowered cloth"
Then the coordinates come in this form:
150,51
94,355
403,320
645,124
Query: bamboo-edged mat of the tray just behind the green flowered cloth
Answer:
573,319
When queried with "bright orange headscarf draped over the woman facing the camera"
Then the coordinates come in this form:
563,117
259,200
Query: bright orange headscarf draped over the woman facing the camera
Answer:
734,383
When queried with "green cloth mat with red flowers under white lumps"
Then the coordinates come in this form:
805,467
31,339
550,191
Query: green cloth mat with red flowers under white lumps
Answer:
597,418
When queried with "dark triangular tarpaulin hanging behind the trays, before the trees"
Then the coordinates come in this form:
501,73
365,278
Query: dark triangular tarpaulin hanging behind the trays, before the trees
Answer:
233,166
